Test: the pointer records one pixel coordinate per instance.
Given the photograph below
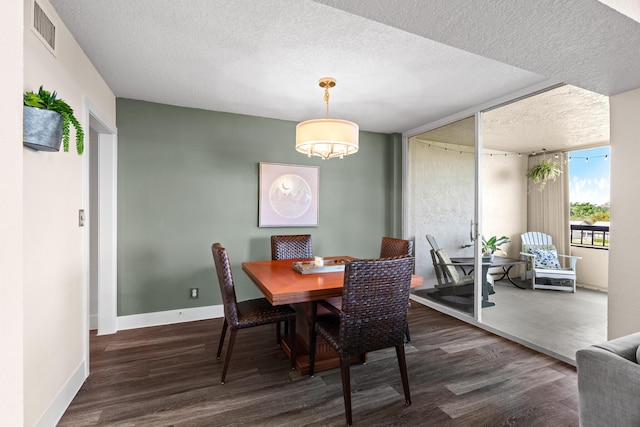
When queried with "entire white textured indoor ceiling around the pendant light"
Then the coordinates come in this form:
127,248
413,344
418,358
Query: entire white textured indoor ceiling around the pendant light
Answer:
398,64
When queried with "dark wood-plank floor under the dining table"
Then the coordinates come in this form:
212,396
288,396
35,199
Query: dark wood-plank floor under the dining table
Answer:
459,376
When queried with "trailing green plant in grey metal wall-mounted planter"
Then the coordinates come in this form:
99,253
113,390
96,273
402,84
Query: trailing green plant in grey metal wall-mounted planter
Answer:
47,120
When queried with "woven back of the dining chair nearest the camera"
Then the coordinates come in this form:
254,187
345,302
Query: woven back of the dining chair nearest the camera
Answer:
374,304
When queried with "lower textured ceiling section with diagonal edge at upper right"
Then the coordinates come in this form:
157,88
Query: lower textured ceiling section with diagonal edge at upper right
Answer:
581,42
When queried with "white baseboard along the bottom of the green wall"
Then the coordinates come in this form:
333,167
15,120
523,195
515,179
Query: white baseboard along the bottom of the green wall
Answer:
169,317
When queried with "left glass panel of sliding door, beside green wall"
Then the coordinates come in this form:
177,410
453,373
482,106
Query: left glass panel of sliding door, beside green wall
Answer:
442,215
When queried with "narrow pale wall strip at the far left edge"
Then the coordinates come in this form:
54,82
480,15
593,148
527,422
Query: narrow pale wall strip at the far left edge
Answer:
11,258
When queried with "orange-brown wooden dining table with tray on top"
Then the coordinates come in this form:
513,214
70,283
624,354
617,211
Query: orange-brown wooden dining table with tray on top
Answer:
281,284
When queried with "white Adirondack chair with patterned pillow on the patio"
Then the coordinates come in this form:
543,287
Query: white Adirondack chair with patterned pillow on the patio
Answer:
543,263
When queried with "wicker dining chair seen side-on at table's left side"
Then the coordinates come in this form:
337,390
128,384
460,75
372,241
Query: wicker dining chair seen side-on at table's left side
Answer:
246,314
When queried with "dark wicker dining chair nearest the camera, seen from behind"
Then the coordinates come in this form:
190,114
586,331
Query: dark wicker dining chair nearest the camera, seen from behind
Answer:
373,317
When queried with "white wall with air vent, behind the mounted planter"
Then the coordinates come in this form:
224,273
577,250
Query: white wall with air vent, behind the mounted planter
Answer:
54,288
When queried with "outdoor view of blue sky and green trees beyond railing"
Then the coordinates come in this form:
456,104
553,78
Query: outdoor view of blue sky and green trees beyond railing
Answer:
589,195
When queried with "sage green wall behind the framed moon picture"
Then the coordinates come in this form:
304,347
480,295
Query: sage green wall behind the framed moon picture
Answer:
188,178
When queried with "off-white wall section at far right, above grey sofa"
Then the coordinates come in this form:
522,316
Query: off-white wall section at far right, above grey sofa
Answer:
624,285
